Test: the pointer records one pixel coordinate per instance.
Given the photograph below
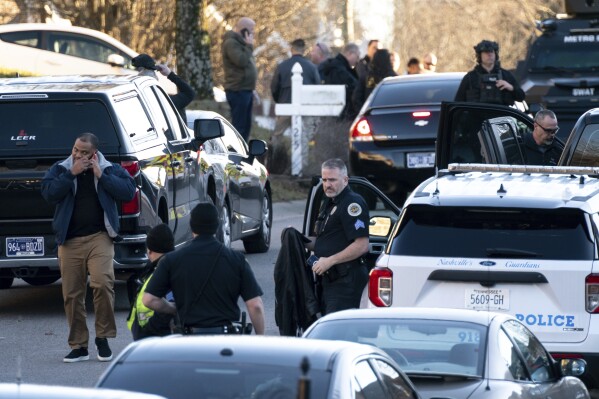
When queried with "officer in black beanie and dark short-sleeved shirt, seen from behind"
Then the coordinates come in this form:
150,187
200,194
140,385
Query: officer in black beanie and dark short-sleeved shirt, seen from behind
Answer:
206,279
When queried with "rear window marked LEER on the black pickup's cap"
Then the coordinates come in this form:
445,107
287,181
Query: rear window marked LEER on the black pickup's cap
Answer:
50,127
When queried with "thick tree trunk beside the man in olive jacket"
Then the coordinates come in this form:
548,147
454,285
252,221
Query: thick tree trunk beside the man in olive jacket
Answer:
192,45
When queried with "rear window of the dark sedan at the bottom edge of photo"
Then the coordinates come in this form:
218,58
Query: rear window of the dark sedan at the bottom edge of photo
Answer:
186,380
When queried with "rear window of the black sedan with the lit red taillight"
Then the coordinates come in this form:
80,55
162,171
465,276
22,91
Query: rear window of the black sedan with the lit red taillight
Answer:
416,92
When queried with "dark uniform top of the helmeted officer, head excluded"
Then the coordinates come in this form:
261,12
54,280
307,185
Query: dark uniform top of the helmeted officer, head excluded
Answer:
478,86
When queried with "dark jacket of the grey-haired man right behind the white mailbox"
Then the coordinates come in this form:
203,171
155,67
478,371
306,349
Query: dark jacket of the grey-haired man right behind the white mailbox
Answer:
337,71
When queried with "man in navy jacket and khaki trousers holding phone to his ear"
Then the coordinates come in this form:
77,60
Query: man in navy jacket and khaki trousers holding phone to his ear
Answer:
85,189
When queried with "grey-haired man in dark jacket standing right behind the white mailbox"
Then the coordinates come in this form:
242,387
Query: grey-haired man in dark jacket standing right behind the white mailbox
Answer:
340,70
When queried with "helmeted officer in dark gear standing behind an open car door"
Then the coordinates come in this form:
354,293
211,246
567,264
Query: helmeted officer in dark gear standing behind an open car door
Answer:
488,82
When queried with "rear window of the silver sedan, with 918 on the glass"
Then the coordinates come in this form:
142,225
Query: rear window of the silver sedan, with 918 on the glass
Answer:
419,346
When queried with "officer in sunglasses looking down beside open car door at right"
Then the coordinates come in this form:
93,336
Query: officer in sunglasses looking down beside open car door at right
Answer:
540,146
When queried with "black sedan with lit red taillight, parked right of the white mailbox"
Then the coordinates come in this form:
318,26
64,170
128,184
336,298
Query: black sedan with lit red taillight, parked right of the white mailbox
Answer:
392,140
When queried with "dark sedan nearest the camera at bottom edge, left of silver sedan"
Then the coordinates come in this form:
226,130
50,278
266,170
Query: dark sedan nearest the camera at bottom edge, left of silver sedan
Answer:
256,367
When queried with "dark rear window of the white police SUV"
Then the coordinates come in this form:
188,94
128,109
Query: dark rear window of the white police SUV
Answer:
434,231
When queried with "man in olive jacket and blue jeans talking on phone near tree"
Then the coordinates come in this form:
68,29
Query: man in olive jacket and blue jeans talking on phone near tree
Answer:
240,73
